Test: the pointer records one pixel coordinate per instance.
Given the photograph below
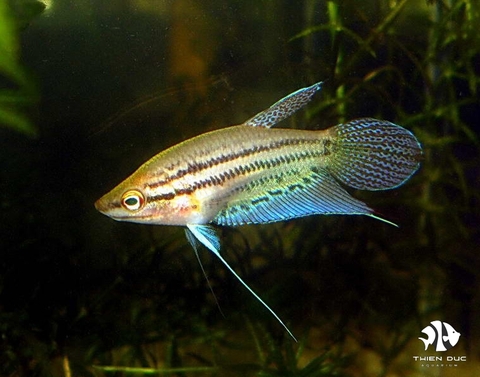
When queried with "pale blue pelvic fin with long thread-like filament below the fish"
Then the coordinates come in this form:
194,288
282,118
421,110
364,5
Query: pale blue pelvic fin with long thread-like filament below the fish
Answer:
207,235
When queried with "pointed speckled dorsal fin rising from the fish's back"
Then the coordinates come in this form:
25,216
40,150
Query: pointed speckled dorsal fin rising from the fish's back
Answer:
284,108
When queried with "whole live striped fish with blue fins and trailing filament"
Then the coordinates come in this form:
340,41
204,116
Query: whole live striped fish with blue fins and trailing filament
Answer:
255,174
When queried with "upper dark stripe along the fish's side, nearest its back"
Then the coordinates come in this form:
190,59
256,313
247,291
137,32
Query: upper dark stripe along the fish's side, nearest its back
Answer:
196,167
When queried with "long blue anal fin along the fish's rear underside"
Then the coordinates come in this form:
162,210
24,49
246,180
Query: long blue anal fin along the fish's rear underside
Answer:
313,192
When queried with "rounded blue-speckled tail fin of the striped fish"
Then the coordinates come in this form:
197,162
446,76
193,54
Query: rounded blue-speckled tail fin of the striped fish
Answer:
373,154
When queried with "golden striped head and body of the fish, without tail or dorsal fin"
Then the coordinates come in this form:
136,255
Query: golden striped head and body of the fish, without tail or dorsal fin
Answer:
209,177
